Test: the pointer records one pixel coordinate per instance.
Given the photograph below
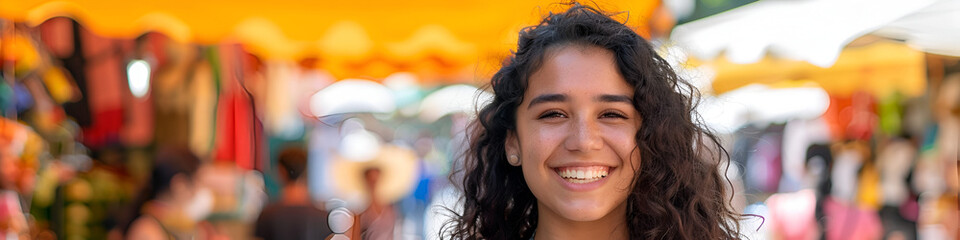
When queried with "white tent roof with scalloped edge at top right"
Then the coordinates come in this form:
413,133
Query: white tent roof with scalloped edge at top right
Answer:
817,30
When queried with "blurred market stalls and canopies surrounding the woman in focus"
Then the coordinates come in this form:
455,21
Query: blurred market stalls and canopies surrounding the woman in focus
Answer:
842,117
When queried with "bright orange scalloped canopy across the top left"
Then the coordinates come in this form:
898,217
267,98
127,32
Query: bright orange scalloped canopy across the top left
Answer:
458,31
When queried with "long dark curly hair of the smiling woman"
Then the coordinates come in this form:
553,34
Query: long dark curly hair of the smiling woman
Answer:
679,192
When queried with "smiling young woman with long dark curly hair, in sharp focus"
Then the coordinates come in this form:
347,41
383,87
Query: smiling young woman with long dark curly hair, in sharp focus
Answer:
591,135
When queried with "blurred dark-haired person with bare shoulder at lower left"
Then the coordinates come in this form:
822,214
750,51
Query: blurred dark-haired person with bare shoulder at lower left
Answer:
171,205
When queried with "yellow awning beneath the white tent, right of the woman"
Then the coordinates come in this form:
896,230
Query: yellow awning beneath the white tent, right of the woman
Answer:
880,68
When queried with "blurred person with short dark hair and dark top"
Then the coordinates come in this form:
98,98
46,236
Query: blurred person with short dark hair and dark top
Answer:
294,216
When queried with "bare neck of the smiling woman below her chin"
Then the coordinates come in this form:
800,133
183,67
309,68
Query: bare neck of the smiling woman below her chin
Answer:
550,225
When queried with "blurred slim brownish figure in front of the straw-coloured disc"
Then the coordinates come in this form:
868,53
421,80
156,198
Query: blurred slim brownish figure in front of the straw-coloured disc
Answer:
378,221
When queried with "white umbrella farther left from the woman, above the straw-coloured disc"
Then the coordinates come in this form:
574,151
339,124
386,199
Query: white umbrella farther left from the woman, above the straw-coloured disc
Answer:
352,96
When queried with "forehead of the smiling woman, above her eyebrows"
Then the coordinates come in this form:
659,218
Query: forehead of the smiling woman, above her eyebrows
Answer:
575,68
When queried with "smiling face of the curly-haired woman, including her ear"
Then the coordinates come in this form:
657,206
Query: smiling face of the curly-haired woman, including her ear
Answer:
575,135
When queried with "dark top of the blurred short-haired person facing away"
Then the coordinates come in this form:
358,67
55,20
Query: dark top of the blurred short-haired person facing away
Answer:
279,221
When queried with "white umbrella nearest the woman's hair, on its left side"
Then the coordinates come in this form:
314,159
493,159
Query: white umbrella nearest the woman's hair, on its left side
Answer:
458,98
